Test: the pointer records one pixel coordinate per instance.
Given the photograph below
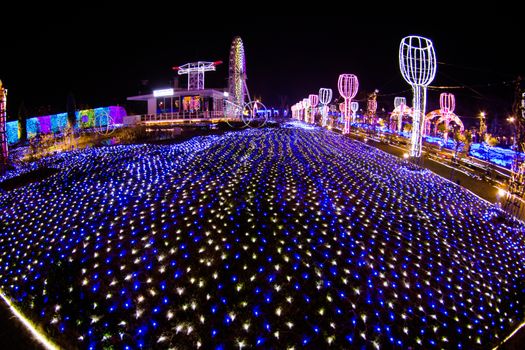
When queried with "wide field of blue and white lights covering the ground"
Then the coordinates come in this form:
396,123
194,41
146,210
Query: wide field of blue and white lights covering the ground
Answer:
275,238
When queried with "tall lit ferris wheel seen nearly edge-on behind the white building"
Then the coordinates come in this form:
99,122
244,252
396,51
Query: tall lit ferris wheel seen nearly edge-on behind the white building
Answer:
238,90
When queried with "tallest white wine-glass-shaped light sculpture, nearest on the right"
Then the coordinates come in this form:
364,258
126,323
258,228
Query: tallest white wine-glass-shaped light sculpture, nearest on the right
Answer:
417,62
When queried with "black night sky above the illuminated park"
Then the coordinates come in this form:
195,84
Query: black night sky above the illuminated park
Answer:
103,61
